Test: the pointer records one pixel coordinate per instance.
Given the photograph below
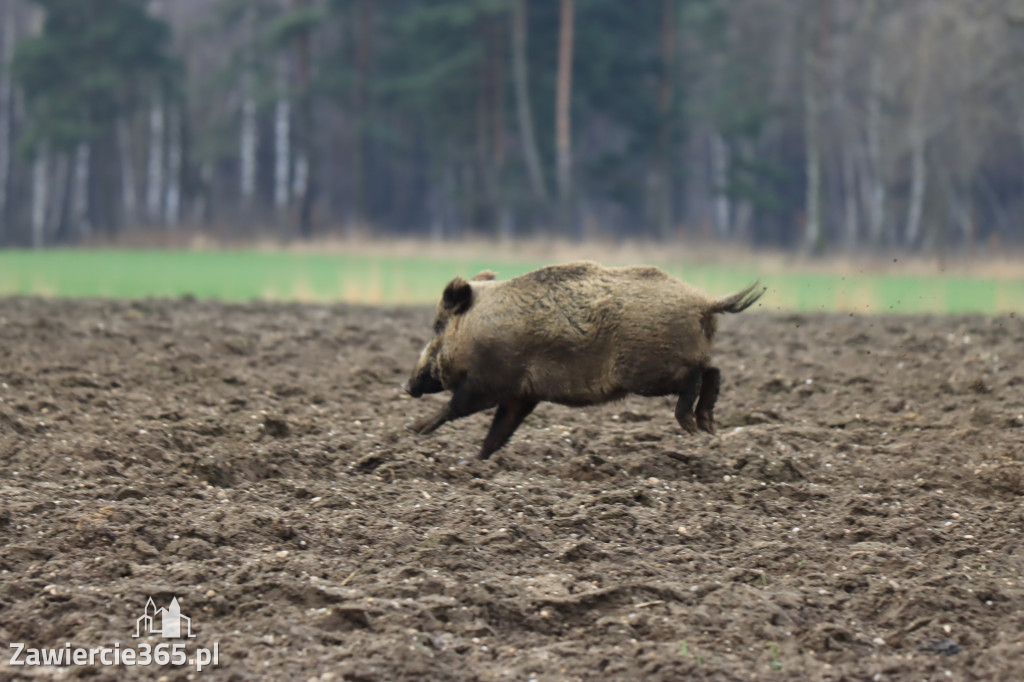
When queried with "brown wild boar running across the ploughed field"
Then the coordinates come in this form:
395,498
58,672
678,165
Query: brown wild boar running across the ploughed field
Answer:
577,334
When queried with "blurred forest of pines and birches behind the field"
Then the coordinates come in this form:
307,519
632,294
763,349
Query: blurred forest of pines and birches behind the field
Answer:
822,125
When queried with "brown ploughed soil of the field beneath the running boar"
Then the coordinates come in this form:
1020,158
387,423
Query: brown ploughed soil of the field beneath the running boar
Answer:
865,499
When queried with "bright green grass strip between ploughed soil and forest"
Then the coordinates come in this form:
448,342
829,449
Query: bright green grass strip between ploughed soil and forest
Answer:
244,276
